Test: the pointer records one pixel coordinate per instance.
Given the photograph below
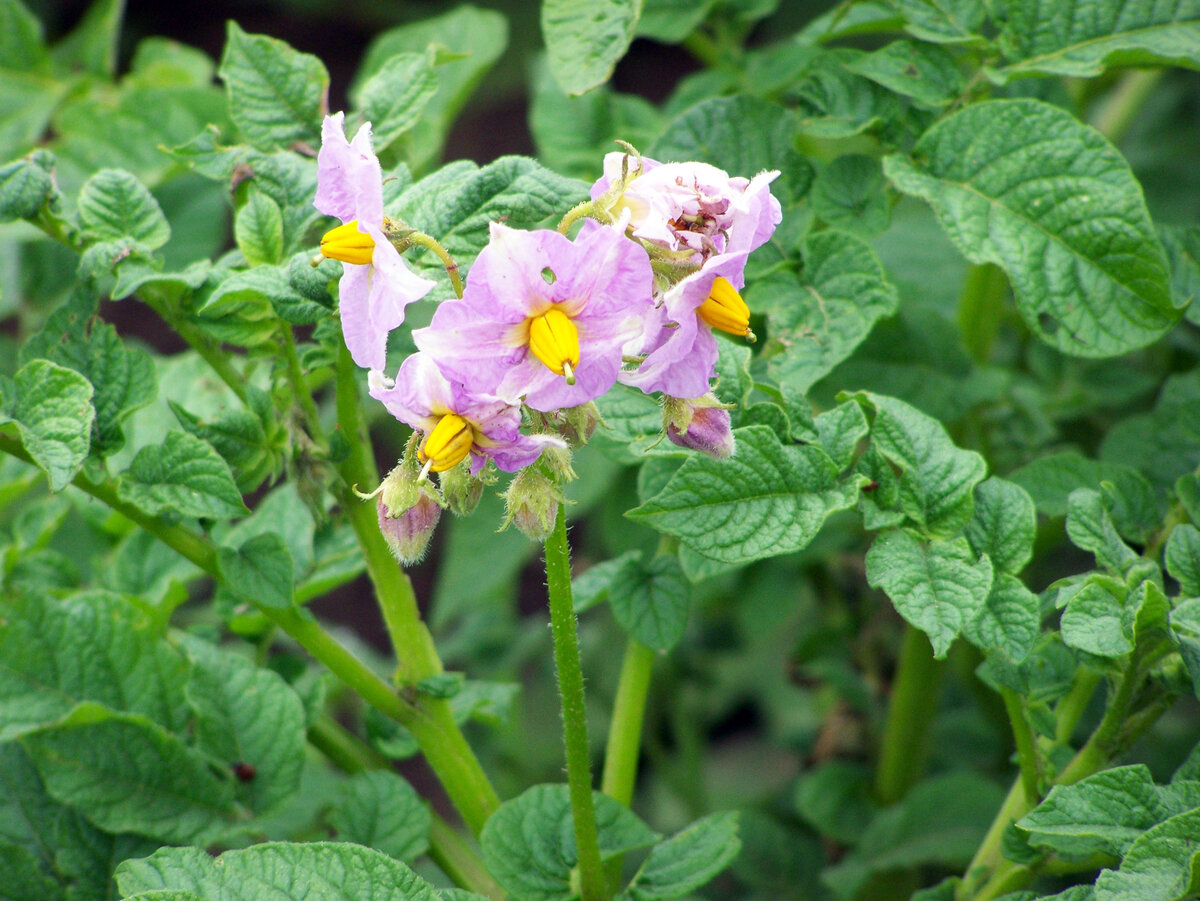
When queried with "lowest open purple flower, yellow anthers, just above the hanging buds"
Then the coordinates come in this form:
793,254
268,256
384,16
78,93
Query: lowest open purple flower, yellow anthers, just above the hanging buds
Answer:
458,423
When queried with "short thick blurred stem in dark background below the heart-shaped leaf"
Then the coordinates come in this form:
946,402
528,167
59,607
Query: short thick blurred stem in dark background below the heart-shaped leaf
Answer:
911,710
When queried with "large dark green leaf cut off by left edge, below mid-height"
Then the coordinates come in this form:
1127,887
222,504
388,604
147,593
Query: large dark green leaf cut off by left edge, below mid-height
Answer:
94,647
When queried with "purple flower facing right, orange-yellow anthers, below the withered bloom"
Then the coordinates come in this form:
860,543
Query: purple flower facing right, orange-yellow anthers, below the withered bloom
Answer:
682,357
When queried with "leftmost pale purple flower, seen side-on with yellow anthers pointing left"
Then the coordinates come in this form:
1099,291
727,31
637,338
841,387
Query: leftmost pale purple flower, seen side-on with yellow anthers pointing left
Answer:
376,284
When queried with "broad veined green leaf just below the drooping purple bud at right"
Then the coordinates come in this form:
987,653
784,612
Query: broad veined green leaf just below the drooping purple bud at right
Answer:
766,500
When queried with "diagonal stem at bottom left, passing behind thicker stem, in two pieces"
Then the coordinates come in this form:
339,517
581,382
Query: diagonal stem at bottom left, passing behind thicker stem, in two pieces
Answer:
448,849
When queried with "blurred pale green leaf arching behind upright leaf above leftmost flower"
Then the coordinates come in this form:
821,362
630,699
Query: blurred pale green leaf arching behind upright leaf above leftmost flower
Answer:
470,43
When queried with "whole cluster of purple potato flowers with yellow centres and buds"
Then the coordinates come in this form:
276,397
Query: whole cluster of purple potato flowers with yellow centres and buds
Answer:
545,325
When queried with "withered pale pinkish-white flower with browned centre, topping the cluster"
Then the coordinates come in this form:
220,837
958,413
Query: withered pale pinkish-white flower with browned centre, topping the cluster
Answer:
693,206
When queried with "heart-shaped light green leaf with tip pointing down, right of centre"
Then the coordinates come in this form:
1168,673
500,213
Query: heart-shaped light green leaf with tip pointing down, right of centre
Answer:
937,587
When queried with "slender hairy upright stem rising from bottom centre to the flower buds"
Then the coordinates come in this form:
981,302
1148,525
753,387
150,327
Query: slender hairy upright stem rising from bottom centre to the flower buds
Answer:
575,724
